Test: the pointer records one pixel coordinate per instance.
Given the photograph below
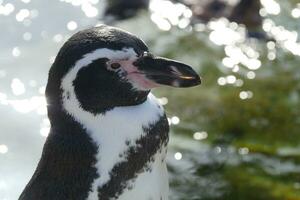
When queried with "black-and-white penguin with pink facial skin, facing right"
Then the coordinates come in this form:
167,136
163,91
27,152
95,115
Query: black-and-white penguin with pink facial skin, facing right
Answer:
108,137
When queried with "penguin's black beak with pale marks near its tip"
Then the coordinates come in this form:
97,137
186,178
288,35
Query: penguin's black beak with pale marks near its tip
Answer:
164,71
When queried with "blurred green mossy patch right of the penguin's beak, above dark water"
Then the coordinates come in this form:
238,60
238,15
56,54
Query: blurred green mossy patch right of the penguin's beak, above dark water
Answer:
270,118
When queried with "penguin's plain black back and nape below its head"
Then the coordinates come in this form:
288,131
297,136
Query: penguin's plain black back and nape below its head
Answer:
67,165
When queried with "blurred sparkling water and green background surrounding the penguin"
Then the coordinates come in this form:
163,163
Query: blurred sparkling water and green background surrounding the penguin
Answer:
235,137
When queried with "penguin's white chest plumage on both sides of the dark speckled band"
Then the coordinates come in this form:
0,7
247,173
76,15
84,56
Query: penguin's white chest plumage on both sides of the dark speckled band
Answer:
113,133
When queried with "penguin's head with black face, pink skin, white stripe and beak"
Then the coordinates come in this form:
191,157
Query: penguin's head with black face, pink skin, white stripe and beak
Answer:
103,67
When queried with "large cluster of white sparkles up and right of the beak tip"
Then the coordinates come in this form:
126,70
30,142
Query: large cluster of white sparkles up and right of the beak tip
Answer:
239,52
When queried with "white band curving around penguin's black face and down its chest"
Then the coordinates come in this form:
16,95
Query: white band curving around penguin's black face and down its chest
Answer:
110,131
